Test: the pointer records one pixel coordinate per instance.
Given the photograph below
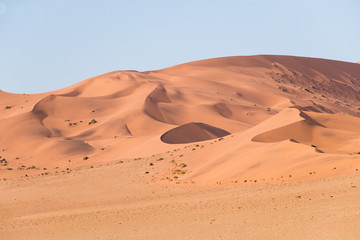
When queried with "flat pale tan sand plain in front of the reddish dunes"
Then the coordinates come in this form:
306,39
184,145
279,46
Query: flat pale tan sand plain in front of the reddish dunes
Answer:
110,202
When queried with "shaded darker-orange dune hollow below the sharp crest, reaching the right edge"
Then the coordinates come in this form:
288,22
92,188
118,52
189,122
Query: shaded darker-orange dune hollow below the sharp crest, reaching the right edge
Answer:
326,132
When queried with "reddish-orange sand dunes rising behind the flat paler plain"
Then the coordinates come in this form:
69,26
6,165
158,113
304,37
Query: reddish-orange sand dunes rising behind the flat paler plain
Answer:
262,101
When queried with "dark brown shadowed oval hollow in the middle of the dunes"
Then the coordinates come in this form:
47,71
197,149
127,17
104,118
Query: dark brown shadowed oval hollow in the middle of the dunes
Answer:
193,132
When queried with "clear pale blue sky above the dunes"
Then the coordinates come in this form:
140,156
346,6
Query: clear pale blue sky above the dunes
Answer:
46,45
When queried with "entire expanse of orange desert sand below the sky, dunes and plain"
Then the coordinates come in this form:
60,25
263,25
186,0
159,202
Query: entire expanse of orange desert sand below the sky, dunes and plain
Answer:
253,147
